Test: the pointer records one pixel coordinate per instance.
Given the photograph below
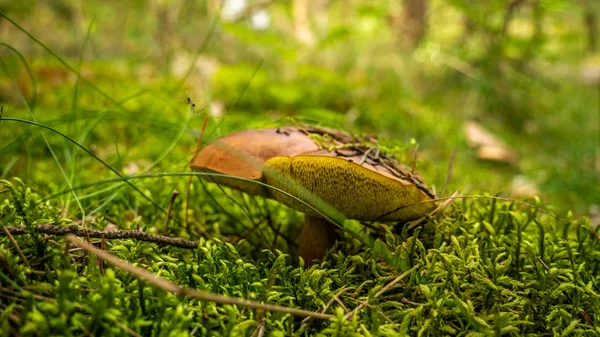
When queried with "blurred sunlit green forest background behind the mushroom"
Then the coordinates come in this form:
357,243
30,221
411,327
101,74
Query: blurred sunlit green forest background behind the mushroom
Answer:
513,86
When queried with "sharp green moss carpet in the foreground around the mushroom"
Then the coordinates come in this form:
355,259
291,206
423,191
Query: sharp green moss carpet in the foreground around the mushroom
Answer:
489,268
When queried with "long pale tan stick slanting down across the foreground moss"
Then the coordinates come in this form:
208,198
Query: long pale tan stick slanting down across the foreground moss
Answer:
171,287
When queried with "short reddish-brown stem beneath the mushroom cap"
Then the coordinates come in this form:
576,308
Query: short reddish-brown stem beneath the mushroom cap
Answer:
317,236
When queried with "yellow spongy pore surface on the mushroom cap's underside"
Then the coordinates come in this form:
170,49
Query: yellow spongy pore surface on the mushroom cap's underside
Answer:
355,191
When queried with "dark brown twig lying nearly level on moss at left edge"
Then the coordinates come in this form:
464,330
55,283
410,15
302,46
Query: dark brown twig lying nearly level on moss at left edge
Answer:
62,230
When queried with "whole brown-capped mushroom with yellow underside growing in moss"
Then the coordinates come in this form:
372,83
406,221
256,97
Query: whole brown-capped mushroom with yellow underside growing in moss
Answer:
358,182
